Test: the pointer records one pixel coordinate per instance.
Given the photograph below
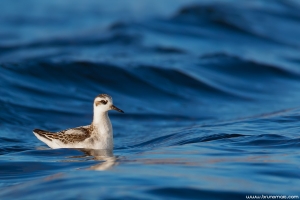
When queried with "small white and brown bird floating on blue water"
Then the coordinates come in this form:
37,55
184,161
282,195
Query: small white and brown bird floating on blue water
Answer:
97,135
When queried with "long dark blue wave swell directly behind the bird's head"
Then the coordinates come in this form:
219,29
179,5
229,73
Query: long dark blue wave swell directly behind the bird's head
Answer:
71,86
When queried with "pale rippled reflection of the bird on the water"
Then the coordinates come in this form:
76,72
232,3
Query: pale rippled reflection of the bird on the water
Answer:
107,158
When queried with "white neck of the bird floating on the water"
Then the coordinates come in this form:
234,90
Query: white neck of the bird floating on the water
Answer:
101,124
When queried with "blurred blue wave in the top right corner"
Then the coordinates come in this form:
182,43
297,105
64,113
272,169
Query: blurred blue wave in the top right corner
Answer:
243,19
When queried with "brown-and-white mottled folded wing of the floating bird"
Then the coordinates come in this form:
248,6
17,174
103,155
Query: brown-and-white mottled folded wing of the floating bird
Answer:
73,135
